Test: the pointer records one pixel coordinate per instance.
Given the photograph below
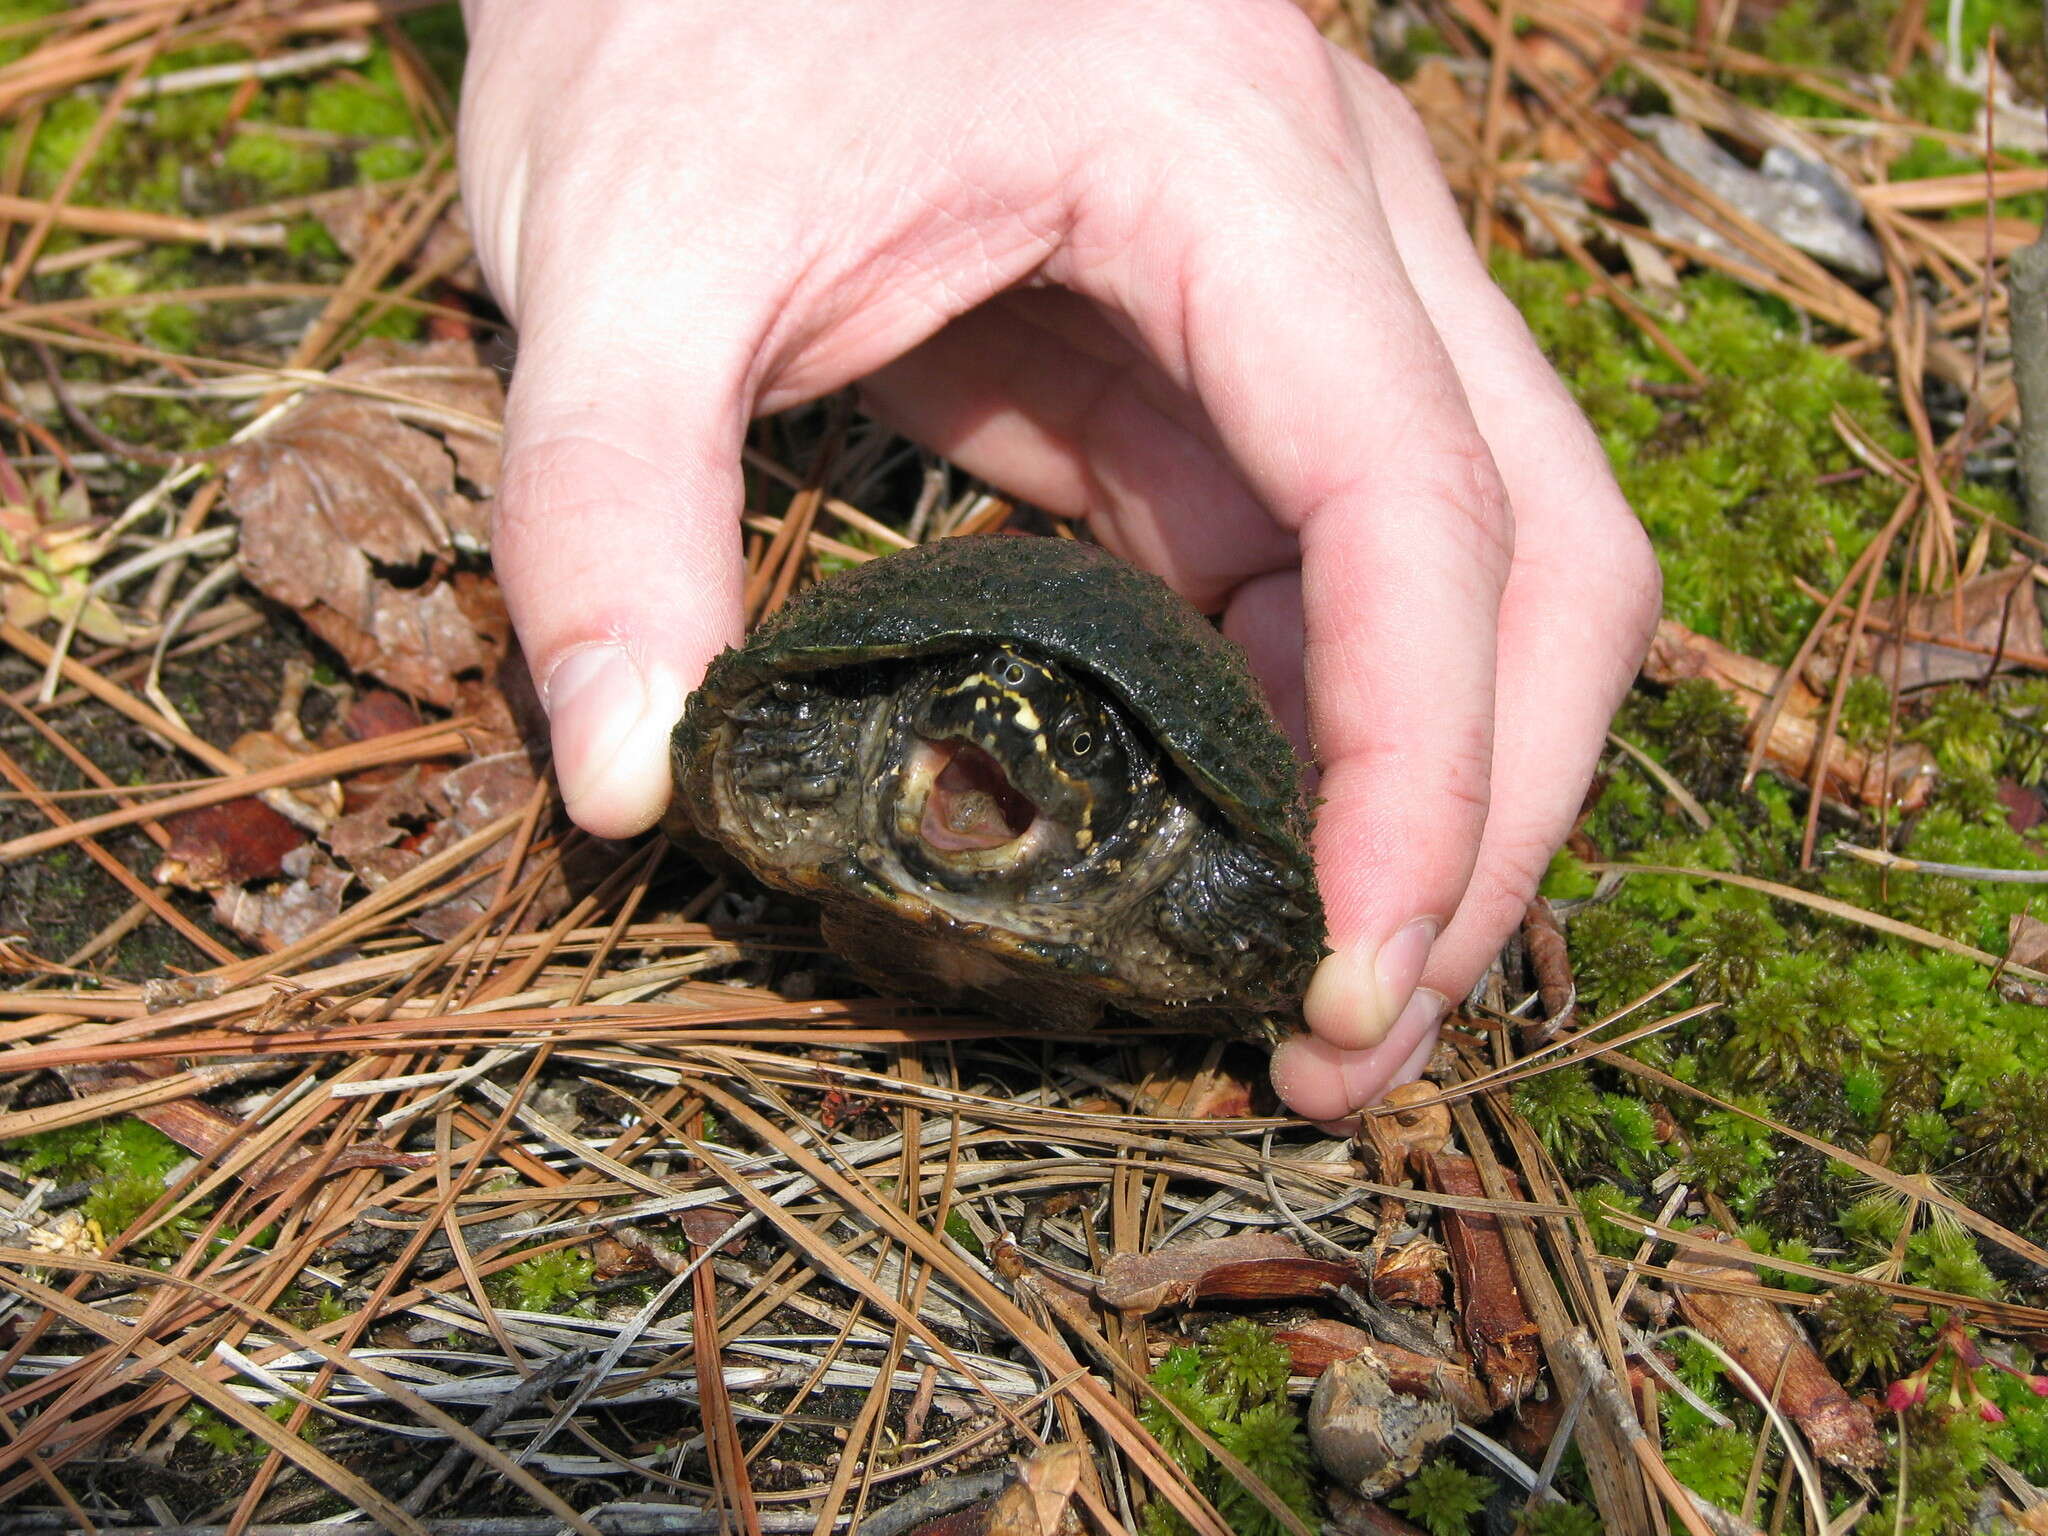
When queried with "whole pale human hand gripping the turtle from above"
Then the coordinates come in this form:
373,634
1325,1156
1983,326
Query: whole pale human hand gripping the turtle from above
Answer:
1170,265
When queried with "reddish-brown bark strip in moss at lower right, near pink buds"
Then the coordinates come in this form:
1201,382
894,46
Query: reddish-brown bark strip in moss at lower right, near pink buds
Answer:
1777,1353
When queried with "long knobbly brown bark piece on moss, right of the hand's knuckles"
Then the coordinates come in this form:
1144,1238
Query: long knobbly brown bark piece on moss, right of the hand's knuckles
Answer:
1854,777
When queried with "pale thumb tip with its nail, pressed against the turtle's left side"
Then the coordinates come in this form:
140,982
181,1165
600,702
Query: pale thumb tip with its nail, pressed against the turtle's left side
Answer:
611,726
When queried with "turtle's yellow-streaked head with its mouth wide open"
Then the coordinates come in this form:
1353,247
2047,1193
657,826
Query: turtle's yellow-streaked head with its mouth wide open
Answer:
1017,759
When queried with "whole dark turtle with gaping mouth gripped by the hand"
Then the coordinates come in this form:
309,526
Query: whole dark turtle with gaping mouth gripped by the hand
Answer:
1017,775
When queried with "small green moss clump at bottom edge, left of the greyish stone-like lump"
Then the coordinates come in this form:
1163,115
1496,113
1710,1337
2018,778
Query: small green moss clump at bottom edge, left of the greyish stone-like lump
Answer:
1234,1385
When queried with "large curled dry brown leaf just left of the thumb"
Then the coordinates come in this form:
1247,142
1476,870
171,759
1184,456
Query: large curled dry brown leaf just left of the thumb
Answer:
353,515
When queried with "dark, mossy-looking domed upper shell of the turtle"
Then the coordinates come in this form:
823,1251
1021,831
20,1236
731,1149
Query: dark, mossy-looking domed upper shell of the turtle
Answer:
1078,605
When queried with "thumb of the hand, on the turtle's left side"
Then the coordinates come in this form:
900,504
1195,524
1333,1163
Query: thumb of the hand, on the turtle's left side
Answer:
617,546
